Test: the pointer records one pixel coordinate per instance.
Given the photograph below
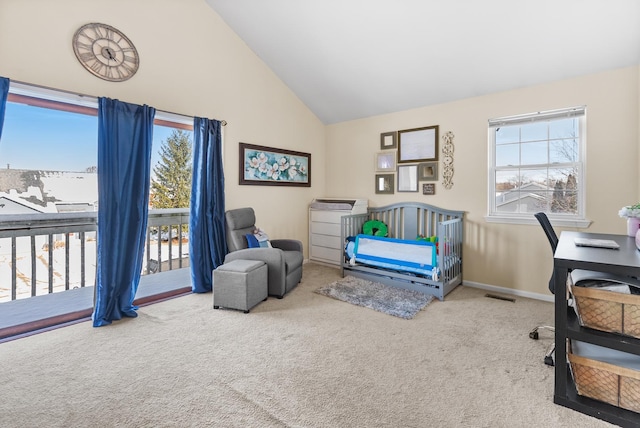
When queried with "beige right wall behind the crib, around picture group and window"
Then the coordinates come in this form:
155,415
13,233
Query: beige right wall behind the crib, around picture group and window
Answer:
512,256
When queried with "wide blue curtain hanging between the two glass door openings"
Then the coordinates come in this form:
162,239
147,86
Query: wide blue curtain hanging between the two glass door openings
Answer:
125,134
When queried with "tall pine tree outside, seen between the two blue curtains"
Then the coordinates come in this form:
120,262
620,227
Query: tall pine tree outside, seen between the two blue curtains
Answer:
171,187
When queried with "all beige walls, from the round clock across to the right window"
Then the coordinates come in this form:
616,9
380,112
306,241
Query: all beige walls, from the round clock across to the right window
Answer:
193,64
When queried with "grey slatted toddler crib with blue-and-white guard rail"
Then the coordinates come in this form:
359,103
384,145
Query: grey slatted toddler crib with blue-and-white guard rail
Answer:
409,245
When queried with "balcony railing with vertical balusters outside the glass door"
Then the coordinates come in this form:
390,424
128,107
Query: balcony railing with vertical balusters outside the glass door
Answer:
47,253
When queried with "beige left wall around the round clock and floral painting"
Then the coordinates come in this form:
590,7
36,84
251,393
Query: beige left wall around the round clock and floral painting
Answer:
192,64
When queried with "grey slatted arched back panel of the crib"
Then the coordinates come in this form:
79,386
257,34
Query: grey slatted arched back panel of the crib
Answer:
406,220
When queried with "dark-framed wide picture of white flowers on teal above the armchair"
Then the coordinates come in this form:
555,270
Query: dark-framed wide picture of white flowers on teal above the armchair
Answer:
269,166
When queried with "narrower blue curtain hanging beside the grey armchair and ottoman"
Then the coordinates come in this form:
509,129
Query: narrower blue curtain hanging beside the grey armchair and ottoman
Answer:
207,237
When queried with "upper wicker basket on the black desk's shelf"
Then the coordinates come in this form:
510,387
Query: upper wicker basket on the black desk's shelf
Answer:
608,311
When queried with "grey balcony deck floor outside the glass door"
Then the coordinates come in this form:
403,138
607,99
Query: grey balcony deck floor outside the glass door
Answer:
28,316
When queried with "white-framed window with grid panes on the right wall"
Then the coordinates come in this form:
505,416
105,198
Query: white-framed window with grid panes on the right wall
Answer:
536,163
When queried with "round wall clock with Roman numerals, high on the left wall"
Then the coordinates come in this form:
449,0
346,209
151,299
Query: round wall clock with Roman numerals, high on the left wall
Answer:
105,52
